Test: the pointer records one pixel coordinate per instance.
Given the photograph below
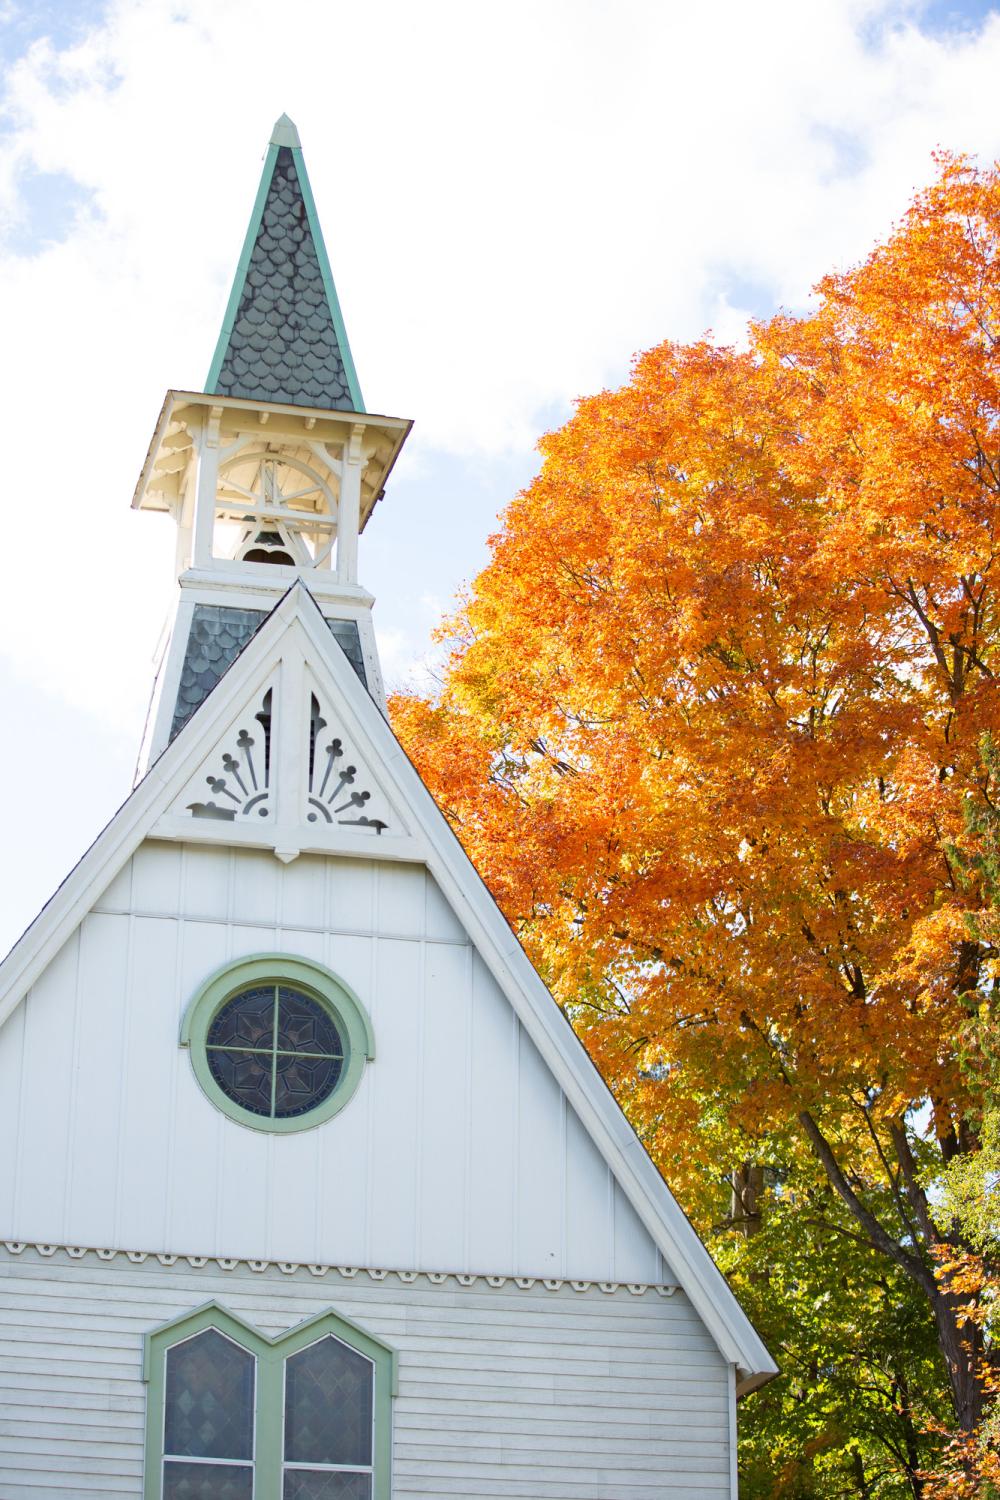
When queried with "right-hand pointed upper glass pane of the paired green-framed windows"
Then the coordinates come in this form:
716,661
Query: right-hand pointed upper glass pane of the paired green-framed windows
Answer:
329,1391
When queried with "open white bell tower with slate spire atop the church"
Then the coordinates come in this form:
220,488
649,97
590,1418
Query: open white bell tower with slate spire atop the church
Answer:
271,473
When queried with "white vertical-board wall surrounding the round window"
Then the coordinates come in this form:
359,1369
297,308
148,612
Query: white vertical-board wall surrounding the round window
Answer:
460,1151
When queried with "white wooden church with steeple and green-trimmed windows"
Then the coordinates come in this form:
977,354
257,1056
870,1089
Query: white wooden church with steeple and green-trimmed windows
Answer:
308,1189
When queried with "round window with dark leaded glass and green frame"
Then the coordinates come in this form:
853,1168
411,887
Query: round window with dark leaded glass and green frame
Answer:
278,1043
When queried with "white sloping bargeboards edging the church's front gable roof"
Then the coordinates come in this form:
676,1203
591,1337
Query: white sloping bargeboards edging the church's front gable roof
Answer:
542,1019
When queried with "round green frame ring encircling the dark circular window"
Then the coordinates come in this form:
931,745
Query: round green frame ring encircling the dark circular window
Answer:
320,985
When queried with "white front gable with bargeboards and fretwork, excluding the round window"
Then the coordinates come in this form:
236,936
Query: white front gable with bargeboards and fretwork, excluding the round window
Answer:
490,1132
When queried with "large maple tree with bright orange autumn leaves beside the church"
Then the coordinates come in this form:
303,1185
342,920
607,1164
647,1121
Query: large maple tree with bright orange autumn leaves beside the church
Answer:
714,710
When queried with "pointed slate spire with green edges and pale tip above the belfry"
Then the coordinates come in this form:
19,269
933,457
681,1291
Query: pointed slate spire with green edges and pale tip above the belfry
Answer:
284,338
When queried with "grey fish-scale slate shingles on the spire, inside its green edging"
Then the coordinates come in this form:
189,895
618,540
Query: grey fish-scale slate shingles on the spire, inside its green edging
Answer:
284,344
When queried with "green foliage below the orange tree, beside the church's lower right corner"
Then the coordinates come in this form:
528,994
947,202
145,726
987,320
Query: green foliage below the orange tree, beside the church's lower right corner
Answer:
863,1387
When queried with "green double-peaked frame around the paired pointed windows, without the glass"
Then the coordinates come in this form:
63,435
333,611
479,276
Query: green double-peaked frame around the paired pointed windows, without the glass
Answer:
271,1360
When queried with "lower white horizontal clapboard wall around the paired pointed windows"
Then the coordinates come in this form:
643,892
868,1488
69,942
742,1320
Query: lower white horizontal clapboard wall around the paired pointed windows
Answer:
528,1394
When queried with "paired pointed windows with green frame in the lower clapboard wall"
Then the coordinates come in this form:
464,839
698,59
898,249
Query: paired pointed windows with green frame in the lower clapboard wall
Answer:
235,1415
